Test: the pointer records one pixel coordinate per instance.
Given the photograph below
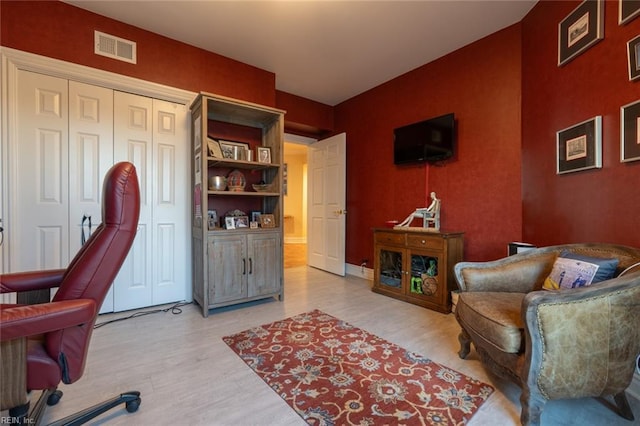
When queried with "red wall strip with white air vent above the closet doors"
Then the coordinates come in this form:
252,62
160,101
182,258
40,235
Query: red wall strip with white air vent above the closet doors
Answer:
58,30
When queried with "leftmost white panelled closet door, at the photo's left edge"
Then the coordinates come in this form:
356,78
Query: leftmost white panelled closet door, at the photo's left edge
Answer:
38,224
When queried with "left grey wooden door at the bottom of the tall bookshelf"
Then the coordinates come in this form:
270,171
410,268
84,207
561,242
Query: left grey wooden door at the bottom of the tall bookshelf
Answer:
228,268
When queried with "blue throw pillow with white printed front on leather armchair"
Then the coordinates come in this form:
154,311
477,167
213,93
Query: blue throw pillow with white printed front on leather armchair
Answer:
572,270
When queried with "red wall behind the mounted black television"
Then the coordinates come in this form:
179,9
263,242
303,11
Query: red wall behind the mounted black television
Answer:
481,188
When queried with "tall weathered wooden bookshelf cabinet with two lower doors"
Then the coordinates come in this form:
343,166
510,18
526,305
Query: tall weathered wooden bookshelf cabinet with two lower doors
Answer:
232,266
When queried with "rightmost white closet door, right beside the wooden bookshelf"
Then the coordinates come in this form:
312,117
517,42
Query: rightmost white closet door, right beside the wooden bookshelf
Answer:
170,202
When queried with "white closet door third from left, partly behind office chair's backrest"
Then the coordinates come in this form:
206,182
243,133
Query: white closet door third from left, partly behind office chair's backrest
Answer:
133,141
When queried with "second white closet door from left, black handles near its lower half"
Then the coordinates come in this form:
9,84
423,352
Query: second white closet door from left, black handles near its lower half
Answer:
90,157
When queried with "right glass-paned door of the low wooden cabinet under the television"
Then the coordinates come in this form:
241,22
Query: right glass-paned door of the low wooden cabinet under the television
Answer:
426,278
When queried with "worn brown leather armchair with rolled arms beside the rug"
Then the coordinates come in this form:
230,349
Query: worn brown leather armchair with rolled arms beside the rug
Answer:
568,343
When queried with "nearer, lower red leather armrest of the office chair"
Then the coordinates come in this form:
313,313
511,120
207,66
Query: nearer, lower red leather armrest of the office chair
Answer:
28,320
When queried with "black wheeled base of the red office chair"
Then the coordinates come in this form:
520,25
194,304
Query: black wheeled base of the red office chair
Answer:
131,400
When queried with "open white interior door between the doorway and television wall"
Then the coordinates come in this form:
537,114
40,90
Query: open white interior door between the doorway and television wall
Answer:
327,204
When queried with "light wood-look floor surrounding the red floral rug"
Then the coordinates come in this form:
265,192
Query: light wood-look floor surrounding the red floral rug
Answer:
187,375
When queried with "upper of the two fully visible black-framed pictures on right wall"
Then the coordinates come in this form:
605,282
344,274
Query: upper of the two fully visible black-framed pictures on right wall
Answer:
580,30
